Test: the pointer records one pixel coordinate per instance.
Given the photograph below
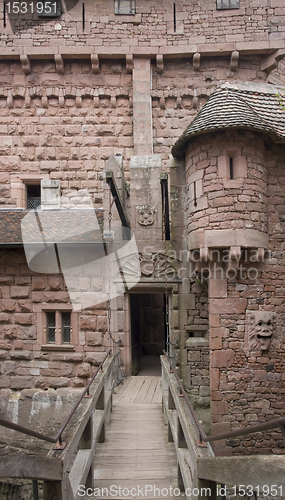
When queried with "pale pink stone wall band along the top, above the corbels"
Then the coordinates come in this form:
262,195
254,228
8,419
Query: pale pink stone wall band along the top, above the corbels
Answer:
153,25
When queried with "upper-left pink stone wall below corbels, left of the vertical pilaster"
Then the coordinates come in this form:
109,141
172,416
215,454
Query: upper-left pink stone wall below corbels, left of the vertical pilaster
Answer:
65,126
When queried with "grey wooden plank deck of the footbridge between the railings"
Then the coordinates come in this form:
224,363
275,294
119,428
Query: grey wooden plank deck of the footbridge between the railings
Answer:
136,455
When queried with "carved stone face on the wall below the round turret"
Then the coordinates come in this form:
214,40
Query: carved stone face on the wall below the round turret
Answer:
262,329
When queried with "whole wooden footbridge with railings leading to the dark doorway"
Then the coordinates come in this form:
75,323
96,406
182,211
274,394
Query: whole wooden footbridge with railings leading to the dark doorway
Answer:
149,446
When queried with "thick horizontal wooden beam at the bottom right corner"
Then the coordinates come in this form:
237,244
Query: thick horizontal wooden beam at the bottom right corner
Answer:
257,470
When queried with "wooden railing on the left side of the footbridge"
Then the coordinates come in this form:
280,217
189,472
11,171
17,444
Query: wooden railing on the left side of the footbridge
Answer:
70,463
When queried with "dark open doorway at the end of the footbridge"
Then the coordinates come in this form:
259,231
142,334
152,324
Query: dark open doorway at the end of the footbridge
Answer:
148,332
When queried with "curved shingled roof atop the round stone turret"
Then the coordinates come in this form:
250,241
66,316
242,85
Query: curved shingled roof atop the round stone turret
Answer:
249,106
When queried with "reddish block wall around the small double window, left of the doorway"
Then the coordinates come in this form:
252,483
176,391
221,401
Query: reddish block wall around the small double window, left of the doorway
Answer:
24,364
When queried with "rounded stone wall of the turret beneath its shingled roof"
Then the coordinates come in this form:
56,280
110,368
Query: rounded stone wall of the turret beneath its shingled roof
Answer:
241,205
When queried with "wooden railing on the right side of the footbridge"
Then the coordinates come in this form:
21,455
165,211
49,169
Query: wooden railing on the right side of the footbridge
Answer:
199,471
